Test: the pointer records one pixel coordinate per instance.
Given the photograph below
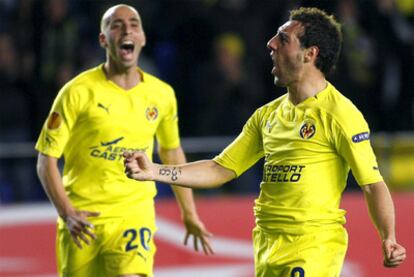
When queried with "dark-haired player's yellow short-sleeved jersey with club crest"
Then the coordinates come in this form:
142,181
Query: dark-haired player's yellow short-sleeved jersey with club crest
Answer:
308,150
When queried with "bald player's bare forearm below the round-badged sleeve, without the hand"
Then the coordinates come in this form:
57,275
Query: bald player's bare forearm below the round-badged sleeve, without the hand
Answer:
51,180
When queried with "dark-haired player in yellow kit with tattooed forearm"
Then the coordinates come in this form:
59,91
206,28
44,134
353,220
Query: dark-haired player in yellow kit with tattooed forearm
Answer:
310,138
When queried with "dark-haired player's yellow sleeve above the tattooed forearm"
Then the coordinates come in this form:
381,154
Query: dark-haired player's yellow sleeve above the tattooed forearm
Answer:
245,150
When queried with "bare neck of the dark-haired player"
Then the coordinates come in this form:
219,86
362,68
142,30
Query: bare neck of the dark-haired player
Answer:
308,86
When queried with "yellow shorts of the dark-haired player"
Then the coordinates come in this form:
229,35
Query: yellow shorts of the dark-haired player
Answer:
316,254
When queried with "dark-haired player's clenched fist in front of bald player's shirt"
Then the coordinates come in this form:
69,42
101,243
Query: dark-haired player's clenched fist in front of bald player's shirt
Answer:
138,166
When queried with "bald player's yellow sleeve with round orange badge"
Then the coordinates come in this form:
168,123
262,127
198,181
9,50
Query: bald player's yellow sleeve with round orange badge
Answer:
56,130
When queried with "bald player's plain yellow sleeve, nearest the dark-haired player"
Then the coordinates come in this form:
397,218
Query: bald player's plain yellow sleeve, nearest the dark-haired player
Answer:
167,133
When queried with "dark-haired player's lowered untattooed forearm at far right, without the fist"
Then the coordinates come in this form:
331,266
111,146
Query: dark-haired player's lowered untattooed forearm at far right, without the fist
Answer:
381,208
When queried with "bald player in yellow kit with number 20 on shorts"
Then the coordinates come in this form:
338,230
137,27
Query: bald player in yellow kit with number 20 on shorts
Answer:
106,223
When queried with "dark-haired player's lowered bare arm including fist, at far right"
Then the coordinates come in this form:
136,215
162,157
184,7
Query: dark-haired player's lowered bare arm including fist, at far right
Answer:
381,209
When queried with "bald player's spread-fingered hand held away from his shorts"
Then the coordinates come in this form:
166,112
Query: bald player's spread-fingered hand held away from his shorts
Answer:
199,232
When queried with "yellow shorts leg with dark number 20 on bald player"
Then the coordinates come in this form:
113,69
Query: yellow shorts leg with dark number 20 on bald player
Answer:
129,247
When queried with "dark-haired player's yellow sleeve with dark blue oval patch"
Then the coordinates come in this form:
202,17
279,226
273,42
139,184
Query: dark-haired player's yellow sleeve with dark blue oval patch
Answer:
352,139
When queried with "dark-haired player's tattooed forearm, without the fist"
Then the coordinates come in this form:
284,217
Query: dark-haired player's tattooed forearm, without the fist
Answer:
200,174
